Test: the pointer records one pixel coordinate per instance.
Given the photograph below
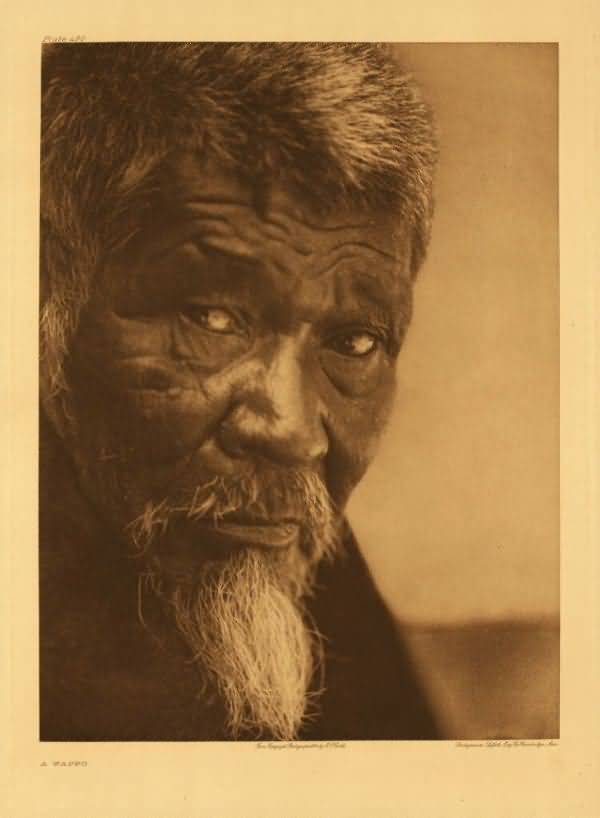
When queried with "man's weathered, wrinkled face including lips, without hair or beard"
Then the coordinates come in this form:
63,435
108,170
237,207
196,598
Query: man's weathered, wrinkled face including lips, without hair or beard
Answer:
224,340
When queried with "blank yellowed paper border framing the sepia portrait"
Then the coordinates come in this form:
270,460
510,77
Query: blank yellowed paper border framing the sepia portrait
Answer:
173,780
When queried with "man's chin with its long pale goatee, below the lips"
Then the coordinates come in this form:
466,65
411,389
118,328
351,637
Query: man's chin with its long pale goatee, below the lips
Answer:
241,617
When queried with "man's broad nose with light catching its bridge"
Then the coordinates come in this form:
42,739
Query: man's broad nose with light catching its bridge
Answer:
276,414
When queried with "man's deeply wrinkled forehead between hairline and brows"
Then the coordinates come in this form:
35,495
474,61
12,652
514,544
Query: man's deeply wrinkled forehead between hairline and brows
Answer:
201,192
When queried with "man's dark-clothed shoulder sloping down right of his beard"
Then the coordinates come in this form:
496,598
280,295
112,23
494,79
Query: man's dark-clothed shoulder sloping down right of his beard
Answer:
371,688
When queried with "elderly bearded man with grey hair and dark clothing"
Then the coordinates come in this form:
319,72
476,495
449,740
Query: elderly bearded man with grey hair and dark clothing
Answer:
229,238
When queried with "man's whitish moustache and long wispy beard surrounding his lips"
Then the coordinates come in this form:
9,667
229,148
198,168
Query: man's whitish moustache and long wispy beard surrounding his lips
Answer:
242,617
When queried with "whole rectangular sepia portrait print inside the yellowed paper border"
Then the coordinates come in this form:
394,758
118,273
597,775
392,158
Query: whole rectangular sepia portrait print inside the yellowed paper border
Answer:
299,392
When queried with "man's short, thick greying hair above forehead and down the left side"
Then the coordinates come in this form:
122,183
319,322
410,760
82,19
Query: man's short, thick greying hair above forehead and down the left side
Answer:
339,122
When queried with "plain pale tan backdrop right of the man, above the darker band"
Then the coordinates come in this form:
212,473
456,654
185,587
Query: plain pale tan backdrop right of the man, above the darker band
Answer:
459,513
